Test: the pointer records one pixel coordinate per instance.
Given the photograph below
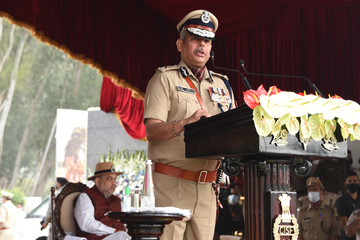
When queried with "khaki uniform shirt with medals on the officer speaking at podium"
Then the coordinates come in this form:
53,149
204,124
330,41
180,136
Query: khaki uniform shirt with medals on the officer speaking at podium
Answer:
164,101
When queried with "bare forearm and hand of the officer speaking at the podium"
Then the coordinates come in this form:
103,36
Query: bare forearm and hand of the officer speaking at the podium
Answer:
157,130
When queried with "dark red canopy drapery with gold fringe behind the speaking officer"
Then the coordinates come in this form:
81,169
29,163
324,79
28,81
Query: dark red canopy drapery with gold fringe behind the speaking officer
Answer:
127,40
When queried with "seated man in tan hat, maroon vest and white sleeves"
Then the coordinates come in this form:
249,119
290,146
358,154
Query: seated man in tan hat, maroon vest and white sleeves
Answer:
94,202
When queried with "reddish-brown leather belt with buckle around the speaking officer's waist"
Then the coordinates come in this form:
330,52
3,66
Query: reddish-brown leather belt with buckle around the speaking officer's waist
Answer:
199,177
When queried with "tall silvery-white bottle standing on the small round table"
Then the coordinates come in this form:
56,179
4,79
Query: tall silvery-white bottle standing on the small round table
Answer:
148,198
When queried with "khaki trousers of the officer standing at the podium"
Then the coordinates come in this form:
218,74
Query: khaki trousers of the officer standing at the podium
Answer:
184,194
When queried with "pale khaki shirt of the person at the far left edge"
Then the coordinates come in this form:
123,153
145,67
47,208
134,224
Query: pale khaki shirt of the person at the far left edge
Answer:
8,213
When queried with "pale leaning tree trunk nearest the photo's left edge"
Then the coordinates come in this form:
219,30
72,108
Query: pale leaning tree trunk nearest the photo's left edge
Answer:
11,90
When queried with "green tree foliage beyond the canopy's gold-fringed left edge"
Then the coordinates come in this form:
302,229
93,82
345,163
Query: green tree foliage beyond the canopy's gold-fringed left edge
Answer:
59,92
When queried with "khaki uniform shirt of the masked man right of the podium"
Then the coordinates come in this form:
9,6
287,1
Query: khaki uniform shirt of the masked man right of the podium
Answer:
318,224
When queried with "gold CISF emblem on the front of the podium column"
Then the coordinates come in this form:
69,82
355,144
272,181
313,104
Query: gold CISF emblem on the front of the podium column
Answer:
286,223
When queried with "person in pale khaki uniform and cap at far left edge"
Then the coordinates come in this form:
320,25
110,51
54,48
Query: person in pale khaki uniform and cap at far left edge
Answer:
8,213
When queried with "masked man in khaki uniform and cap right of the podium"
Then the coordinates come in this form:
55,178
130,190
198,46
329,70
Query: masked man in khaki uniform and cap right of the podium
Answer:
317,220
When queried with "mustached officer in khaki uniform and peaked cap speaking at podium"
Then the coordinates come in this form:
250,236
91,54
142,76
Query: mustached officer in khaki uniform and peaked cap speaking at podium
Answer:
177,96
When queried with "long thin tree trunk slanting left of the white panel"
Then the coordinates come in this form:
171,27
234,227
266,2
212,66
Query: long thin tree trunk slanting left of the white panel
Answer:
28,125
